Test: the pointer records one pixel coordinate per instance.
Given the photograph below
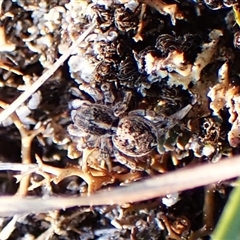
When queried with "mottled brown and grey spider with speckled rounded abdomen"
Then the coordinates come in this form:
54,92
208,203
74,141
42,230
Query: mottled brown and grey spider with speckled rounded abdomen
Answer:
126,136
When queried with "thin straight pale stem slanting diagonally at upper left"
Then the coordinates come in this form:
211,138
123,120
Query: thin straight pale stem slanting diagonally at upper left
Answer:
37,84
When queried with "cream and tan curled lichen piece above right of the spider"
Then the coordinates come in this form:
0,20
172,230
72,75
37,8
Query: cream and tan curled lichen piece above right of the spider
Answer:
176,68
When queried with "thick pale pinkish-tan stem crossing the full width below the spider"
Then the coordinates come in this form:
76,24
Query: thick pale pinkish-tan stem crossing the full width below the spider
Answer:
179,180
